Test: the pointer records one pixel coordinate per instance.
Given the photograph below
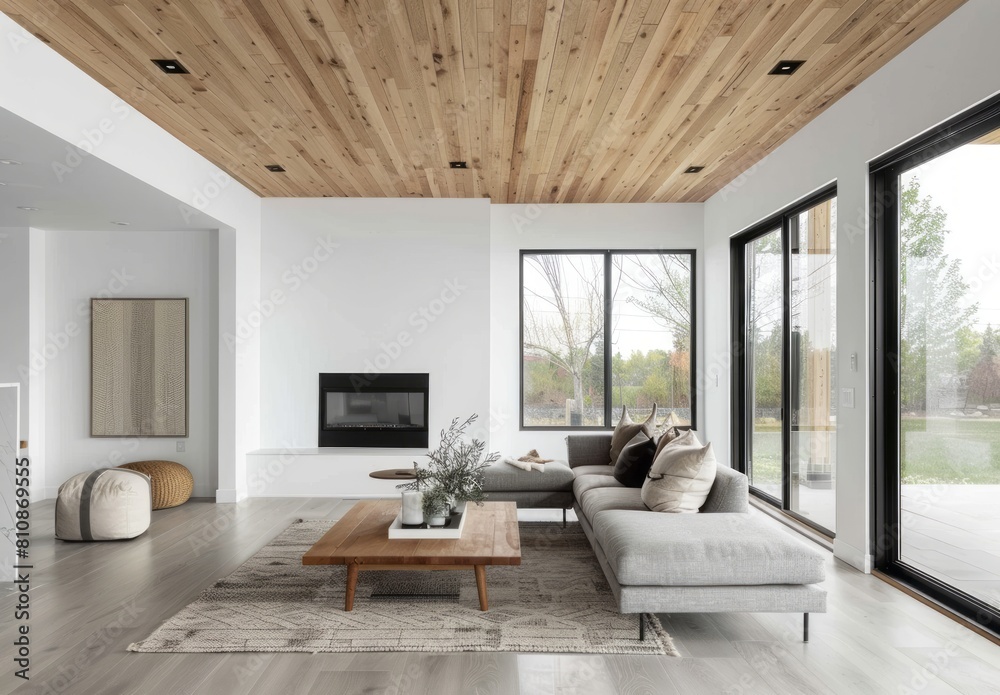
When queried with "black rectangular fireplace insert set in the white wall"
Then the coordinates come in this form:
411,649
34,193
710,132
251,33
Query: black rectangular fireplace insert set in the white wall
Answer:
387,411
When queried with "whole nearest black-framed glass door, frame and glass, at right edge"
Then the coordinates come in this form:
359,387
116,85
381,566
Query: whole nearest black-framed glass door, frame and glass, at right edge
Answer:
936,358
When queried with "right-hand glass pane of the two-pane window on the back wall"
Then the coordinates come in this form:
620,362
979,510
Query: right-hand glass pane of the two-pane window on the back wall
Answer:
651,336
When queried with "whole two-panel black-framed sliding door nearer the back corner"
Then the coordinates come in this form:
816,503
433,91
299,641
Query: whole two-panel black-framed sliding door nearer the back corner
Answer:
784,279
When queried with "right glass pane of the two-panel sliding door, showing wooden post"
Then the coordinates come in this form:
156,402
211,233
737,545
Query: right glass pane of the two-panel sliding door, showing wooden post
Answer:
813,385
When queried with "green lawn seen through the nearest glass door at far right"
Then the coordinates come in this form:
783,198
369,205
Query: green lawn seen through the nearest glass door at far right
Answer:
946,451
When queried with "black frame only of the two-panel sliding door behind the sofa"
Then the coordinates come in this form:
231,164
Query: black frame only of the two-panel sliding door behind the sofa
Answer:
782,221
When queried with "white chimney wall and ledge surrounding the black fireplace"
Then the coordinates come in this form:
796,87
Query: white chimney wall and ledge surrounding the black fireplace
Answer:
341,279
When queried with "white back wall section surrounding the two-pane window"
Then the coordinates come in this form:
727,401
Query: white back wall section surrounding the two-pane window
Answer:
516,227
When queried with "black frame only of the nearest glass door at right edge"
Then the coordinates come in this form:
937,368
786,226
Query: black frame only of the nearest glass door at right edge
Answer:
884,184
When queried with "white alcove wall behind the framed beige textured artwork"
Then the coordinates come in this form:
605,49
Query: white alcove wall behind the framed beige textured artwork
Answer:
82,265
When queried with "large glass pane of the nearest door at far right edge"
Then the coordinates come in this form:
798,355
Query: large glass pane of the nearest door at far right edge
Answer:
949,368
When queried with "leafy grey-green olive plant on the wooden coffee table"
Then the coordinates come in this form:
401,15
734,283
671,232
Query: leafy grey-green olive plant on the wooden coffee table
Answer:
456,466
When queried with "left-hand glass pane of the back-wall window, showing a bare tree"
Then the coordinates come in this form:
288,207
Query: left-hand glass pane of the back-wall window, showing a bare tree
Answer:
563,351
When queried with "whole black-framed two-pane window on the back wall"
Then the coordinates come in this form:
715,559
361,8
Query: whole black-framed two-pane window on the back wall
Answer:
603,329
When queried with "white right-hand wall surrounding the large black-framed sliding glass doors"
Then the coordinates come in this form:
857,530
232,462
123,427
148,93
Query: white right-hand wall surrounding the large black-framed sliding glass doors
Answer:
948,70
